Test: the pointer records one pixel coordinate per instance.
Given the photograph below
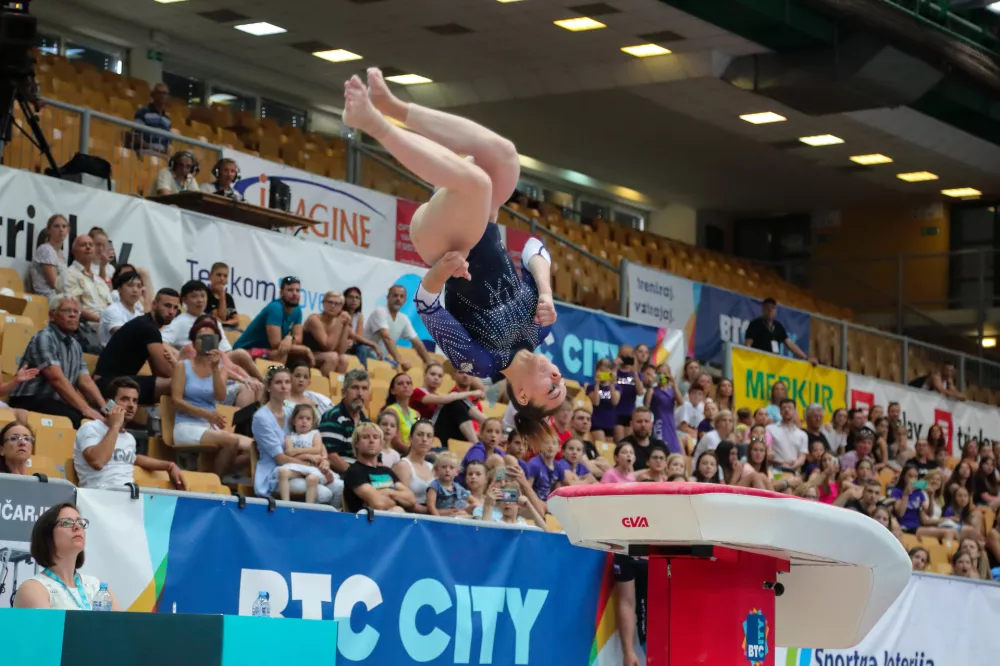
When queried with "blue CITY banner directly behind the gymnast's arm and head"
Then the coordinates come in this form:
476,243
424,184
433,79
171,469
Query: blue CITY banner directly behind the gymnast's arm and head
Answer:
580,338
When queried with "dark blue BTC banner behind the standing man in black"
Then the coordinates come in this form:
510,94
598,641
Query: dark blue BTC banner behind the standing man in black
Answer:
723,316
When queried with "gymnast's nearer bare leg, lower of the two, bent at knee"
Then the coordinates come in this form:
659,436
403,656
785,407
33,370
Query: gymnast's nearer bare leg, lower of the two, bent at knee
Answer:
456,216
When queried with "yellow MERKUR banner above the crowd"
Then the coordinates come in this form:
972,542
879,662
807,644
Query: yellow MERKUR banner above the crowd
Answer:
754,373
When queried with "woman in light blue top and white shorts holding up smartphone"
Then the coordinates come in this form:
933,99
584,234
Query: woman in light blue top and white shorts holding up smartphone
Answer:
198,385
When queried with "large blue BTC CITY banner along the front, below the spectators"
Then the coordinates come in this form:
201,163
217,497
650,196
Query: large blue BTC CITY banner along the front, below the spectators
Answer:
403,590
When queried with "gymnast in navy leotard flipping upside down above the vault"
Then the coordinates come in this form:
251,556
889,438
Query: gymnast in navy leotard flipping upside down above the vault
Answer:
488,326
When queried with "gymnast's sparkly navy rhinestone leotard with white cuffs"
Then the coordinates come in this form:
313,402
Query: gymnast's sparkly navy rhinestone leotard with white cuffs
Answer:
485,321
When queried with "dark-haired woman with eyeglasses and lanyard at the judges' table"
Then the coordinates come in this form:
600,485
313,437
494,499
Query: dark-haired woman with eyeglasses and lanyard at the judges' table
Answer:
57,543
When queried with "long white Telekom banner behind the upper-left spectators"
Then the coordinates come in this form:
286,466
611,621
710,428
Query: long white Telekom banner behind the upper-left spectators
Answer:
178,245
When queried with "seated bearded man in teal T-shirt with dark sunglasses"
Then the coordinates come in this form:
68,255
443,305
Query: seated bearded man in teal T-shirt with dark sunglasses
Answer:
276,332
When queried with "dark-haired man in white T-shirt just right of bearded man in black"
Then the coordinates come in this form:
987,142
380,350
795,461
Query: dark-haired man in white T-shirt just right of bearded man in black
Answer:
238,363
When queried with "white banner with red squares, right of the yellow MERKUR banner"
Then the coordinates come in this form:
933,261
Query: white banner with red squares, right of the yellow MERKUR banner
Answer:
961,421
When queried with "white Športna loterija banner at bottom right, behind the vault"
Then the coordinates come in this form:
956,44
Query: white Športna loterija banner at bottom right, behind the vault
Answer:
937,621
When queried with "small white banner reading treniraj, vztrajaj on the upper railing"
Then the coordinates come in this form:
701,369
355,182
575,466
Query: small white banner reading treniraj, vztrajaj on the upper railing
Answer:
660,299
